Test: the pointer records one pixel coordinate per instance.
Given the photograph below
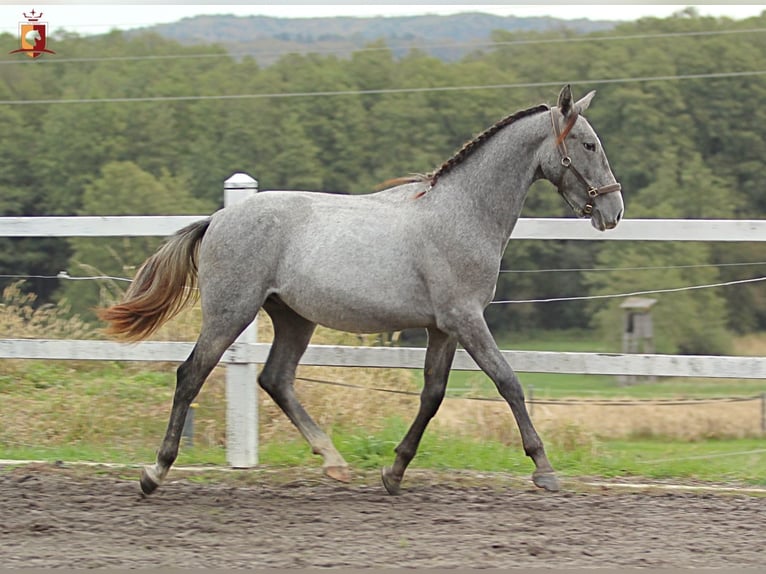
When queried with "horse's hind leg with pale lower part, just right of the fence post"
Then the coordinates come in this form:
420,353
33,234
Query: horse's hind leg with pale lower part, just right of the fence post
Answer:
292,334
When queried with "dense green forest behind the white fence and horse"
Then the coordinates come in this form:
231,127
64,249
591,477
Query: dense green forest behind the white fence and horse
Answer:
117,125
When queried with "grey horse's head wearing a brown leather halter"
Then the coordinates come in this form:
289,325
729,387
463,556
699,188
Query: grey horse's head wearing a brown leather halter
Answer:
574,161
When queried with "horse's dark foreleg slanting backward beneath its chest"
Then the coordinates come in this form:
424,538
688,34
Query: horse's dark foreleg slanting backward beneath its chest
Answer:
439,355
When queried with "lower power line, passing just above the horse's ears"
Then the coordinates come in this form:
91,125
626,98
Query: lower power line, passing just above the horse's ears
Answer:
718,75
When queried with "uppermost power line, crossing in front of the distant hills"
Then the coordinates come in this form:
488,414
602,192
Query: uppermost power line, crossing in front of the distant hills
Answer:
425,46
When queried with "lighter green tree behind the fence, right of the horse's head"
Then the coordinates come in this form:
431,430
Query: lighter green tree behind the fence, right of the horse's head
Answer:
689,321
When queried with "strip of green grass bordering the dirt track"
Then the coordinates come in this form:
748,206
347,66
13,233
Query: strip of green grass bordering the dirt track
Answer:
573,455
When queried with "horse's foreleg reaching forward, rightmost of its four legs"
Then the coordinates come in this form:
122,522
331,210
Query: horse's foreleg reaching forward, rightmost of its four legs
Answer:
477,339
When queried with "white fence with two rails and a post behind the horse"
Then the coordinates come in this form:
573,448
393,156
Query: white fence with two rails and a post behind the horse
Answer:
243,356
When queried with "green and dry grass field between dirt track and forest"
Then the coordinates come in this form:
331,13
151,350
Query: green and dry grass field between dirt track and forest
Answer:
117,412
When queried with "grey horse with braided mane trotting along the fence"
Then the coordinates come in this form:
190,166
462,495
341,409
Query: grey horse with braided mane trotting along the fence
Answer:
423,252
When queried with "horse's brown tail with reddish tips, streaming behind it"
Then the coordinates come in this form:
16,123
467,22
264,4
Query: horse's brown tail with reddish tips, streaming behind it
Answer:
163,286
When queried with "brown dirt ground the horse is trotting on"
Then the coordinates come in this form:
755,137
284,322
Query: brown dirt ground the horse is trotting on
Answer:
64,517
